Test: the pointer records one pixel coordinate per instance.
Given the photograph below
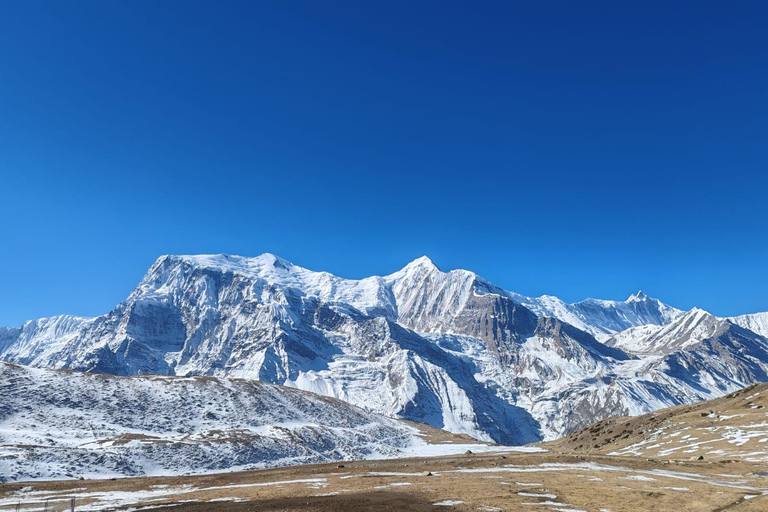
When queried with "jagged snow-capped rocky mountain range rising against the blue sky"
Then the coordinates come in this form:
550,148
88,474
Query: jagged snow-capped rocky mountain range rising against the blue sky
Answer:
449,349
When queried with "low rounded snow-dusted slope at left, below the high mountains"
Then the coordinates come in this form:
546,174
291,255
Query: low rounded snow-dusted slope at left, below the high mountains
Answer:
60,424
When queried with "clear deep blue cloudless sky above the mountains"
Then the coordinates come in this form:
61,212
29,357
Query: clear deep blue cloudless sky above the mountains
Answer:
569,148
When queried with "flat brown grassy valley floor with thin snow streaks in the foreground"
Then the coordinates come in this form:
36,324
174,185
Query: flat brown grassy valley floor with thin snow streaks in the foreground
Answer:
494,481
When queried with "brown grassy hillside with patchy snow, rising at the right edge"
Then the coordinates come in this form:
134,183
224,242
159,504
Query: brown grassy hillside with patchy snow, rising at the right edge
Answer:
734,427
